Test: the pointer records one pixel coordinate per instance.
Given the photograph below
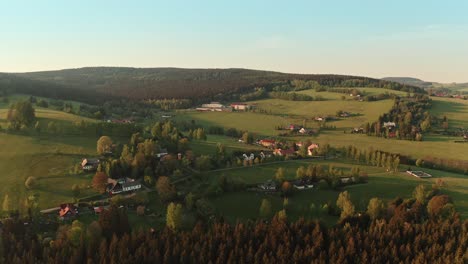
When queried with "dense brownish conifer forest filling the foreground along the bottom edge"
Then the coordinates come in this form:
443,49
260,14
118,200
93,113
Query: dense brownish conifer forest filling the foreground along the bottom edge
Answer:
356,240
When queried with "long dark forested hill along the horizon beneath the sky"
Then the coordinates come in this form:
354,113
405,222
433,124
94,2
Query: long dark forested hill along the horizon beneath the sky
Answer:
198,84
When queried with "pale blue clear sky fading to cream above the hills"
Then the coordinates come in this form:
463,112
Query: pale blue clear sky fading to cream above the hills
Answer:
423,39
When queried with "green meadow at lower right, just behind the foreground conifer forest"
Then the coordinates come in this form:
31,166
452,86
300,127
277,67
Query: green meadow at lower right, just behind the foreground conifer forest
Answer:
387,186
